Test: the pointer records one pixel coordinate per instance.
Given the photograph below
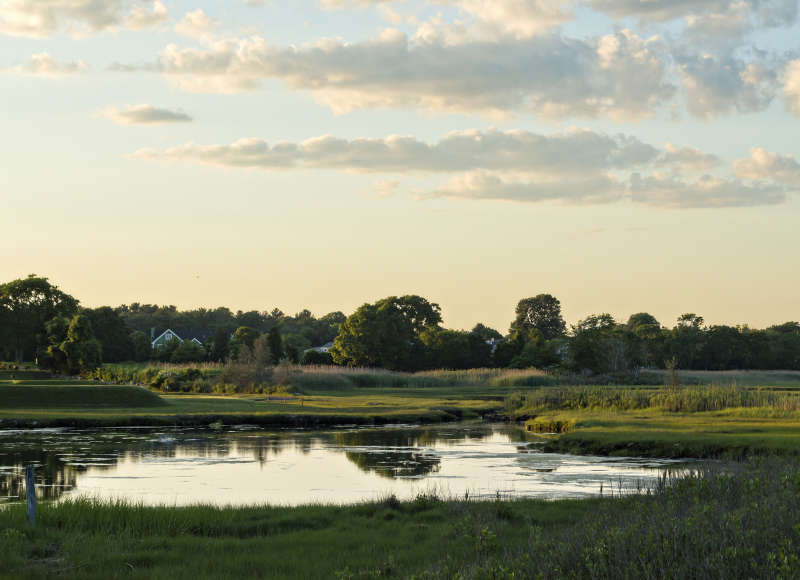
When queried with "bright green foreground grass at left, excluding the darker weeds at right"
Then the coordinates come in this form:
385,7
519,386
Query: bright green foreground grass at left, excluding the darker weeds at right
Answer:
108,540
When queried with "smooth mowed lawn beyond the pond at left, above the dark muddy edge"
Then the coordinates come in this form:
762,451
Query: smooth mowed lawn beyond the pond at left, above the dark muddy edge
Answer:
48,399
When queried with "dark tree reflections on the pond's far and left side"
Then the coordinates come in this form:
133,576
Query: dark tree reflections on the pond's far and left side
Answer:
60,456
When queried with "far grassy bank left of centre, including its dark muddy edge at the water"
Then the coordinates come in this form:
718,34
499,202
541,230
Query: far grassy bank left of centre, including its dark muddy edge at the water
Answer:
86,404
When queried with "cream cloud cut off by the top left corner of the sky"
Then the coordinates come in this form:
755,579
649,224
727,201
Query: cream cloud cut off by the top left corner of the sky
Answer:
43,18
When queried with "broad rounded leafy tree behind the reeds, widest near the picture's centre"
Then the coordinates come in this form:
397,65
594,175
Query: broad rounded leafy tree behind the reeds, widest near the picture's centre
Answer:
387,333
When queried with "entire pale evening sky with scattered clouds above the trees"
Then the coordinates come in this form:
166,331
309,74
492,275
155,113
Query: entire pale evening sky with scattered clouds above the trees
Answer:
622,155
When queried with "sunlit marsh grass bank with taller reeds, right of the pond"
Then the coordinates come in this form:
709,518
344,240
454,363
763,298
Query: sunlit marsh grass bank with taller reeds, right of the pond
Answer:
705,421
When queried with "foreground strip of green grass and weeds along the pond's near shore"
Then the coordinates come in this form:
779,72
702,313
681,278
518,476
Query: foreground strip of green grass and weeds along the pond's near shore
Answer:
740,522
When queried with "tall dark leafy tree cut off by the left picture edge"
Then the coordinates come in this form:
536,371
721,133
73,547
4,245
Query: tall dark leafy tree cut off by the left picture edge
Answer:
26,304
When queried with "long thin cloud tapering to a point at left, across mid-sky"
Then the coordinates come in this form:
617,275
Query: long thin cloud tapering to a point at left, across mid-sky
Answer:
555,155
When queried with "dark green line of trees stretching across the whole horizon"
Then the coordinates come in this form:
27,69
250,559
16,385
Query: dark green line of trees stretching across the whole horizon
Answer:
40,322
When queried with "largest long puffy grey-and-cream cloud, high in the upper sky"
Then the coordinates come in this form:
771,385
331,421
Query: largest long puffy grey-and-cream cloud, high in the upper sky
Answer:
620,75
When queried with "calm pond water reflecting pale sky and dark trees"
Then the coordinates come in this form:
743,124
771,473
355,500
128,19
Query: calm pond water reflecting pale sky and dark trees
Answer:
242,466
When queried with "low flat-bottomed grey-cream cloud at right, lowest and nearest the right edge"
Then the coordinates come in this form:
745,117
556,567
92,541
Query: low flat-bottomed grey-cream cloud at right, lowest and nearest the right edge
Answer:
706,192
